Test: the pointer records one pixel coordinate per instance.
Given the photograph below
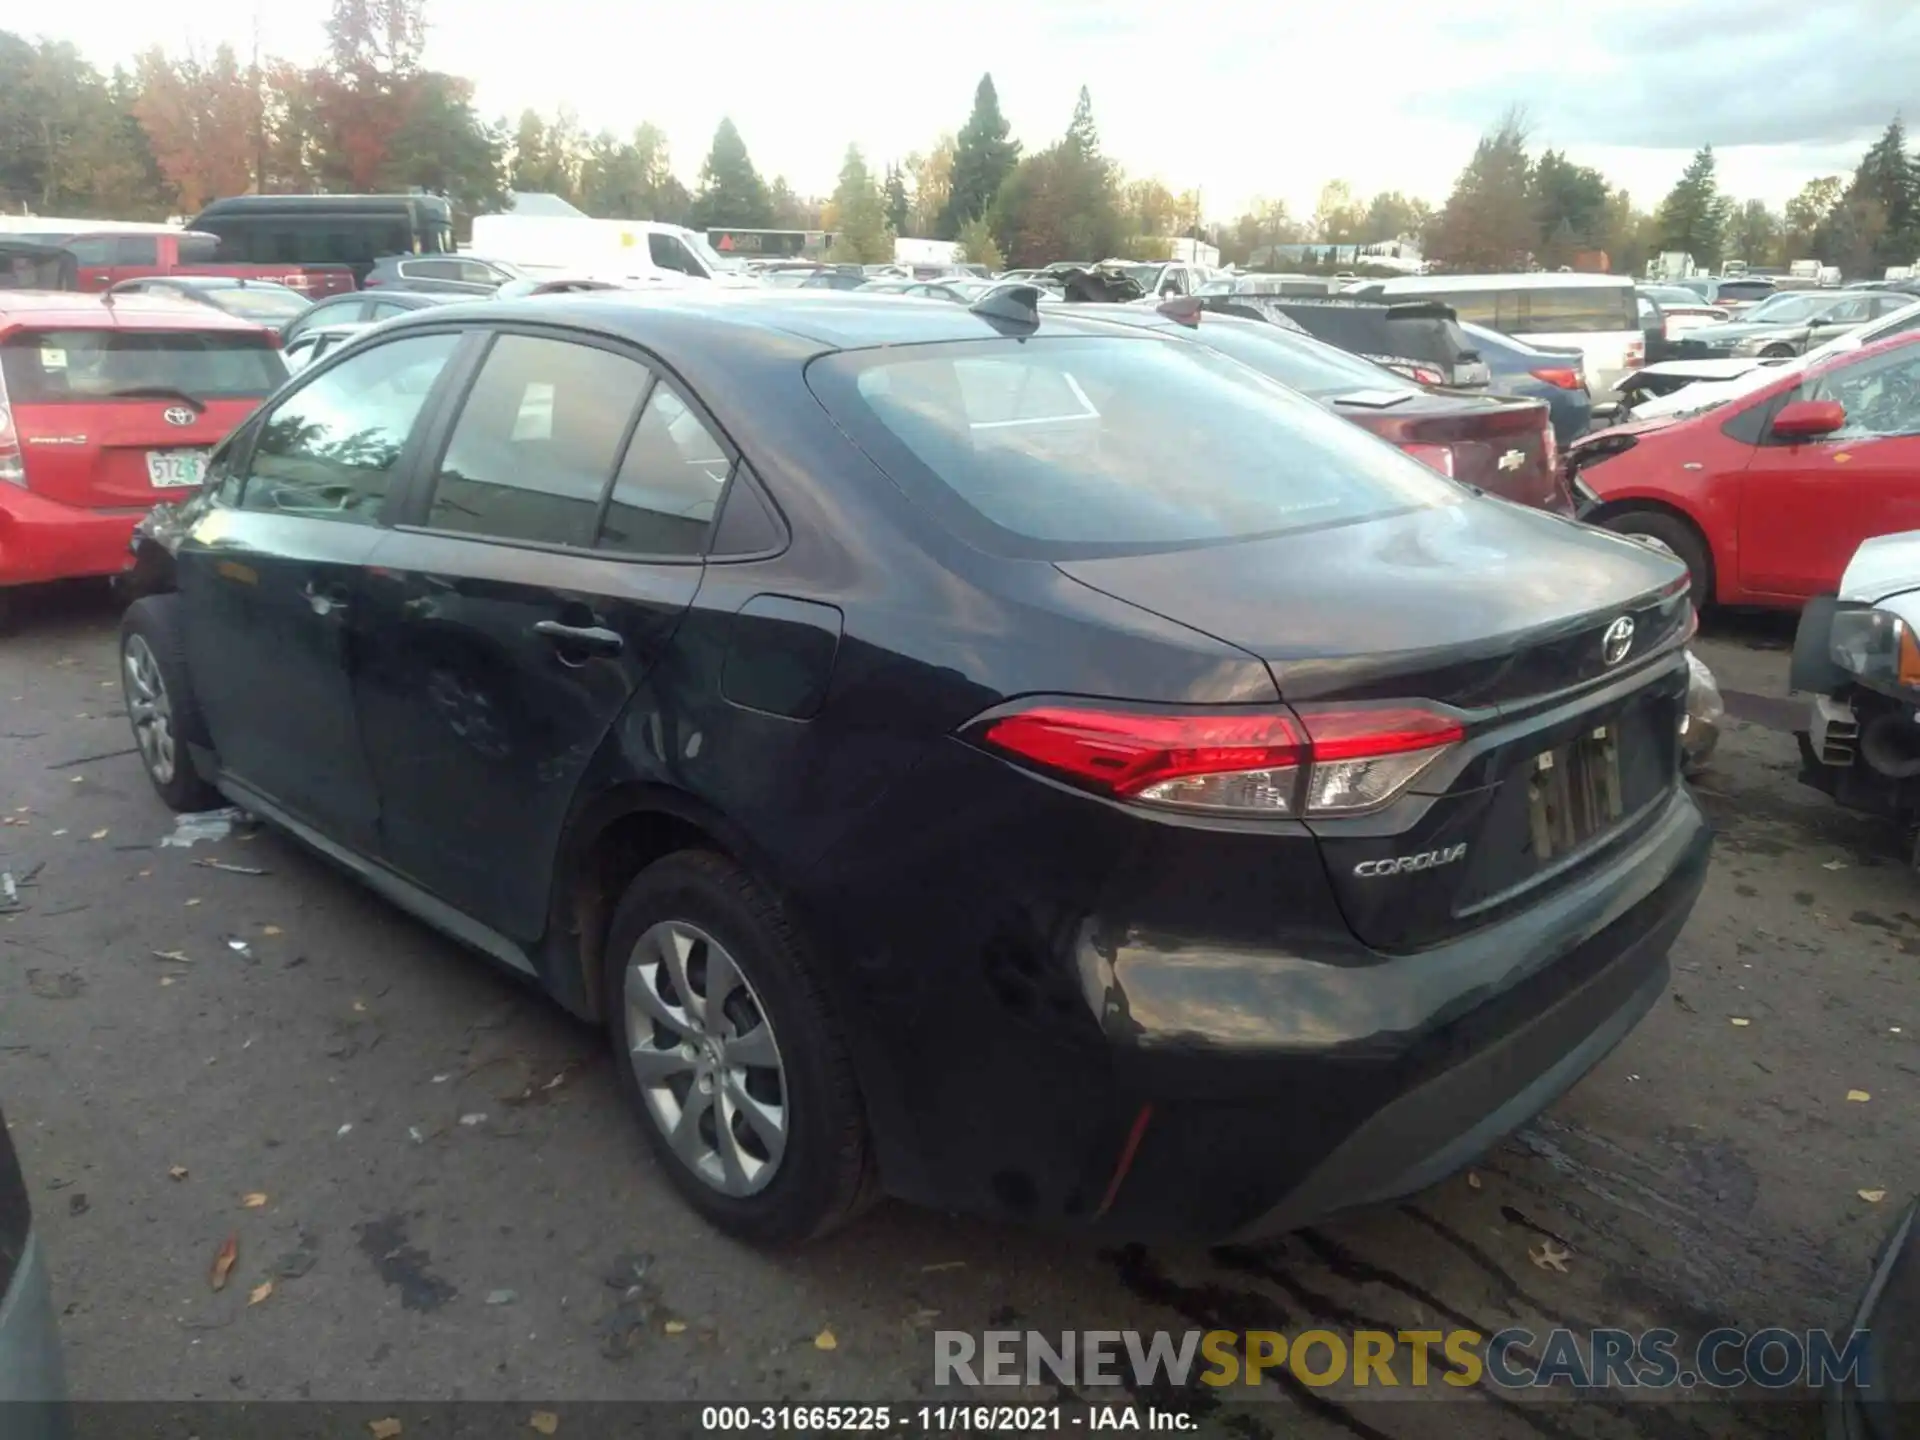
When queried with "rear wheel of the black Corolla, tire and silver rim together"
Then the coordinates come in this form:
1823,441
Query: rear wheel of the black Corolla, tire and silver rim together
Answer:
700,905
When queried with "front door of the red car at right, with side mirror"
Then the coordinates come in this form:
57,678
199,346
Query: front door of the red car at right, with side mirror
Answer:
1808,506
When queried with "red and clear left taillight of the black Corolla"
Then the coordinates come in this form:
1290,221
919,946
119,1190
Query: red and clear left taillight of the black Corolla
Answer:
1314,763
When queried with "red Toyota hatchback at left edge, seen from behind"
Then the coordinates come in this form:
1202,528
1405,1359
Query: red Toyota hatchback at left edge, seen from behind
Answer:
108,408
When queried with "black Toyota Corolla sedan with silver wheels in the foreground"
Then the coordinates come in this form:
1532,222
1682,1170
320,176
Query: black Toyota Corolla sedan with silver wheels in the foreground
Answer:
1005,761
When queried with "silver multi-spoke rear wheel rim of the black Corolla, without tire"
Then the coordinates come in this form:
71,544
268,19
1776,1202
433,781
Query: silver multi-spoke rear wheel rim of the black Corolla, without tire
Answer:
706,1059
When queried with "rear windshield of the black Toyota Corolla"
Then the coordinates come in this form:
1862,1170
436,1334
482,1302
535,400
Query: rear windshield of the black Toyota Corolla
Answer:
1099,446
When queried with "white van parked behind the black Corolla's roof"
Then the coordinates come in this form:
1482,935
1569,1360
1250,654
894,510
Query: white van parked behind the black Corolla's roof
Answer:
617,251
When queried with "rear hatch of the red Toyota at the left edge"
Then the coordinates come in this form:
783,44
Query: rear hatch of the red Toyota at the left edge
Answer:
114,418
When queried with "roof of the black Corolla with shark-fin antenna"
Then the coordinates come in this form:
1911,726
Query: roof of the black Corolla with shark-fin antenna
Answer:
828,320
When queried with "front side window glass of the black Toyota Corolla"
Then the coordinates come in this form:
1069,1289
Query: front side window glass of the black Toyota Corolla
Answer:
329,450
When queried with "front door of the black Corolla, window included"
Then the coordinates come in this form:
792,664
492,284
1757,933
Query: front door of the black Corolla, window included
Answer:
272,583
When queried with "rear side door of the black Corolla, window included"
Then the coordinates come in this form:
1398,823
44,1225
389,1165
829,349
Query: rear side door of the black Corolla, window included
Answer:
548,558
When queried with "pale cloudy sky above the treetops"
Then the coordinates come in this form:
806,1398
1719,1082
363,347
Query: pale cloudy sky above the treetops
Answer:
1237,99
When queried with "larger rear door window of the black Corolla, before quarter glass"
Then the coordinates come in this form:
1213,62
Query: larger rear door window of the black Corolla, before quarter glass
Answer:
537,443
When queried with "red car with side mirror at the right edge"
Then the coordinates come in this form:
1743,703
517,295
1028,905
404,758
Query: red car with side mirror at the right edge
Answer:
1769,494
